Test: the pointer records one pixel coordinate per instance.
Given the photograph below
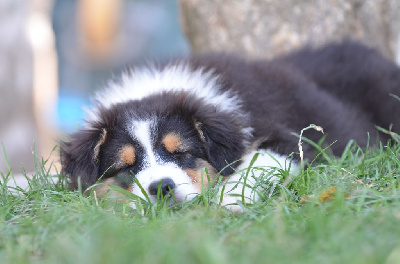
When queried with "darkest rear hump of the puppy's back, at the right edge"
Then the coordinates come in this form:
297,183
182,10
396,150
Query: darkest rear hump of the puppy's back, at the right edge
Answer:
356,75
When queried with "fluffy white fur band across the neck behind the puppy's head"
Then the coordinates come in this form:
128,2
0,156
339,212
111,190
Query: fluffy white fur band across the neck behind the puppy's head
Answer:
142,82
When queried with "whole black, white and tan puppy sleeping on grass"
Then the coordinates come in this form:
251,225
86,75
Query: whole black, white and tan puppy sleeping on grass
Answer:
164,125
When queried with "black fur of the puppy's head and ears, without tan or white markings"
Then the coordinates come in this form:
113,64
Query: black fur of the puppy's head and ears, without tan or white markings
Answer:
174,111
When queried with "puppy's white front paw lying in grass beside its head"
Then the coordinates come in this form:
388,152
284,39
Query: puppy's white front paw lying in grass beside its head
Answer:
266,160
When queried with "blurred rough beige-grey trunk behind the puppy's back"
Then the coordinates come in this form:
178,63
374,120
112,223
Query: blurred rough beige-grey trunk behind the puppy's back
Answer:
265,28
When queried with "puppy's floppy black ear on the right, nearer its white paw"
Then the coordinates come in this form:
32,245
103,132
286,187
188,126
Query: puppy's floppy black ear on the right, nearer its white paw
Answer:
225,141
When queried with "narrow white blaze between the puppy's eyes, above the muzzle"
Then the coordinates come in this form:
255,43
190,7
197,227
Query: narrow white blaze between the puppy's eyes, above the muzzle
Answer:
142,132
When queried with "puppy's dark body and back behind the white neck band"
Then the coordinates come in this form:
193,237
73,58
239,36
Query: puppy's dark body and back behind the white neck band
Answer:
343,87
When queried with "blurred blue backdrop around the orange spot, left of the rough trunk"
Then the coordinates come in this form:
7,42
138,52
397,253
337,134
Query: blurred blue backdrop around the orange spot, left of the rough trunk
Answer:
148,29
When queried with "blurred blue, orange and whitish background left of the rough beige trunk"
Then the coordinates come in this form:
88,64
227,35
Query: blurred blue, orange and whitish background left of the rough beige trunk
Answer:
55,54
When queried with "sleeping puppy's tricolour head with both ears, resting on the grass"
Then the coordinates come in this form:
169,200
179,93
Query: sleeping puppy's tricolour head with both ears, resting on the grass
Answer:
164,140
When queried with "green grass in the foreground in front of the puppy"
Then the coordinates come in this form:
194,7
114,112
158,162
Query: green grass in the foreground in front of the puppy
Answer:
339,210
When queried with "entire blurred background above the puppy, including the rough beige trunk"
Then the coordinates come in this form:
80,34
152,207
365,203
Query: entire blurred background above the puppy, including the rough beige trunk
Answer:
54,54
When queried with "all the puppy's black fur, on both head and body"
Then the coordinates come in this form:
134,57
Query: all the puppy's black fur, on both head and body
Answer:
343,87
